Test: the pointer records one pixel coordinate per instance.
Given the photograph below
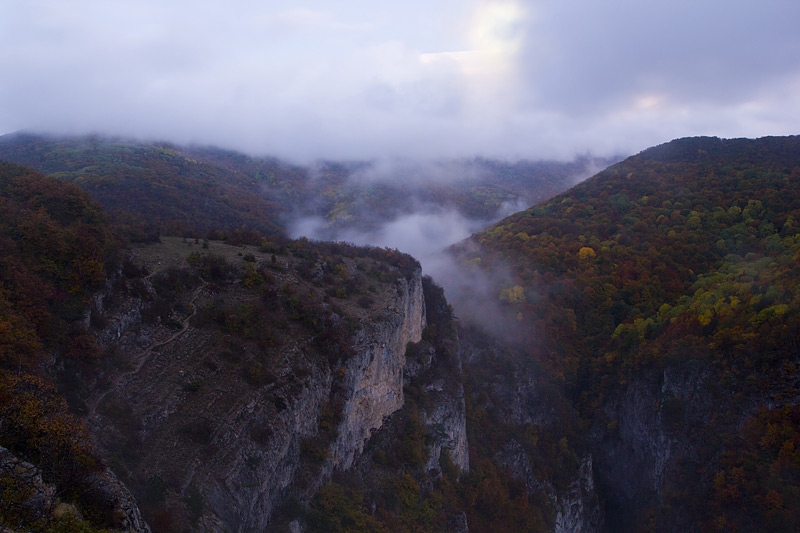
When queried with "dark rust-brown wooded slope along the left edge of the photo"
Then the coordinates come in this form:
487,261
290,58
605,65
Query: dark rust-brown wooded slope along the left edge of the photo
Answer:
54,242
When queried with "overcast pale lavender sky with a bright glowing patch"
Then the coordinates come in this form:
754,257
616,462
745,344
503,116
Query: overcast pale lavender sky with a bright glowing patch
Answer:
357,78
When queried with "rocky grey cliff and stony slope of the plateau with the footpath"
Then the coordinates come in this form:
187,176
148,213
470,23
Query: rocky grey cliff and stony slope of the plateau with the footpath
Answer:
209,425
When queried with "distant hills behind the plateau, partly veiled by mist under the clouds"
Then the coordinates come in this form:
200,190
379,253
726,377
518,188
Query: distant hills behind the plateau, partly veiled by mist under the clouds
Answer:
161,188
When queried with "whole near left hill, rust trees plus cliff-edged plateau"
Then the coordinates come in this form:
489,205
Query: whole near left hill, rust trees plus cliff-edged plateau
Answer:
224,384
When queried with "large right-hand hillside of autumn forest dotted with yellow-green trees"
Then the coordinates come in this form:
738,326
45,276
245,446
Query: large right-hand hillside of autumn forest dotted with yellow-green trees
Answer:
683,255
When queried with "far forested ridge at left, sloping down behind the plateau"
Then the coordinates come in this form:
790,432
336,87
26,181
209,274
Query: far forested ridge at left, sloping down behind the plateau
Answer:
150,188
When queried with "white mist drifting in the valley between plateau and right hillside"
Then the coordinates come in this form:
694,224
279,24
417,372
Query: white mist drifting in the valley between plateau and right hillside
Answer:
426,230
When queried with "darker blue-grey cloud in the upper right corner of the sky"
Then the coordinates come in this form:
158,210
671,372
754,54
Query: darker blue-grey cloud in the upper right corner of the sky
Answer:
583,57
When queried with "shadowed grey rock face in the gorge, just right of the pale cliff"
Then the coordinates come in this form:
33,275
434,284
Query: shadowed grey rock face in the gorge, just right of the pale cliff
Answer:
524,404
